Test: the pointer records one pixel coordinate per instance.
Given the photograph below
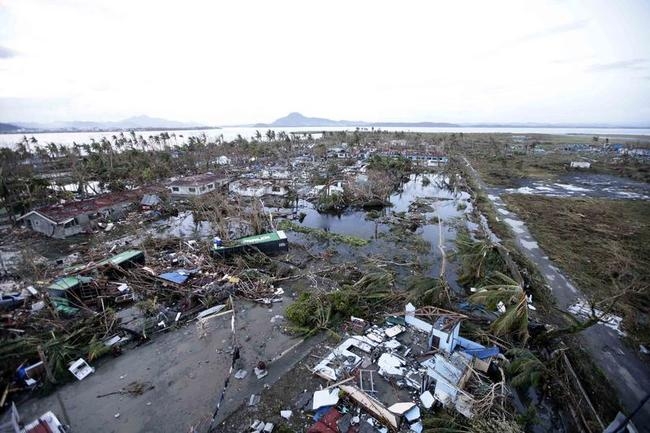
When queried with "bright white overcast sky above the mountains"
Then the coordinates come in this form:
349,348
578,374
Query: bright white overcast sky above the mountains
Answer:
236,62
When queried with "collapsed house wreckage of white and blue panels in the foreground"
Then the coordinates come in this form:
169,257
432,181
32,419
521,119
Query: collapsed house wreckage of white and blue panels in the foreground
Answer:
428,361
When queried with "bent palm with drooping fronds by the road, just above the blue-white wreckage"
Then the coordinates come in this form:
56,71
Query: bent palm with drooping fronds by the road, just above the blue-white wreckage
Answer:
507,291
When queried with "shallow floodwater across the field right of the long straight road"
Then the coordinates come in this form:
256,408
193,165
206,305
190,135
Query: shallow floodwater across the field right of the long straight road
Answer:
583,185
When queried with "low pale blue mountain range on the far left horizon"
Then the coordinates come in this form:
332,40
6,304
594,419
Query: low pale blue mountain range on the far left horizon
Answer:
138,122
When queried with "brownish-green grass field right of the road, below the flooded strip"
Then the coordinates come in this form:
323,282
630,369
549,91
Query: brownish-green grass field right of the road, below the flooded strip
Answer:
603,245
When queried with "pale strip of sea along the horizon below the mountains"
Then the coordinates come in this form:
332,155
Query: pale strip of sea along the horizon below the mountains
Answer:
231,133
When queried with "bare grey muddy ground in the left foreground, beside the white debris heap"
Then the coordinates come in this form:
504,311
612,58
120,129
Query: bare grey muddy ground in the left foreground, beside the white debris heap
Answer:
187,371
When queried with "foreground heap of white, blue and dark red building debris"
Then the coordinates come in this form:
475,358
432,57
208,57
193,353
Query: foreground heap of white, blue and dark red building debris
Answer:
386,376
